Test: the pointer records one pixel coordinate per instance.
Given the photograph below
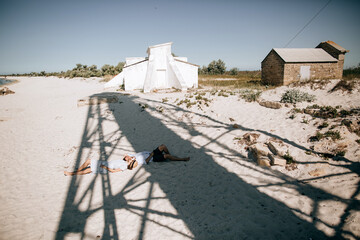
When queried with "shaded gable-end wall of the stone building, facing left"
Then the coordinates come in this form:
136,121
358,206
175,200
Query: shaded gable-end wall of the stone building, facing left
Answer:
272,69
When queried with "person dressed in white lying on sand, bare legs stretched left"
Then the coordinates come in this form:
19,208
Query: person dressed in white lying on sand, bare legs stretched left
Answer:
93,166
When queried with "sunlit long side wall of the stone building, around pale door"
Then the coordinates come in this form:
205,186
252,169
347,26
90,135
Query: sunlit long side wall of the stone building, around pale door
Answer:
317,71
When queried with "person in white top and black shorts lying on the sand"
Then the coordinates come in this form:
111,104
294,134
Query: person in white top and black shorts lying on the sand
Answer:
159,154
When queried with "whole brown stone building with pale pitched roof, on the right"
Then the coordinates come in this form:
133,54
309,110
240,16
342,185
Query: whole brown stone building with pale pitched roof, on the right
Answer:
286,65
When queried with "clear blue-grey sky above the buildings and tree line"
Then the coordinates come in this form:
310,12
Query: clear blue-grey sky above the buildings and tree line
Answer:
46,35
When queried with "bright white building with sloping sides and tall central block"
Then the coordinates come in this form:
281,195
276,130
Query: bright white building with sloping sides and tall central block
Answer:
159,70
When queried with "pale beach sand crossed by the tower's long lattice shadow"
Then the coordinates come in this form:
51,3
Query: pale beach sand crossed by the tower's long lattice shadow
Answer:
219,194
